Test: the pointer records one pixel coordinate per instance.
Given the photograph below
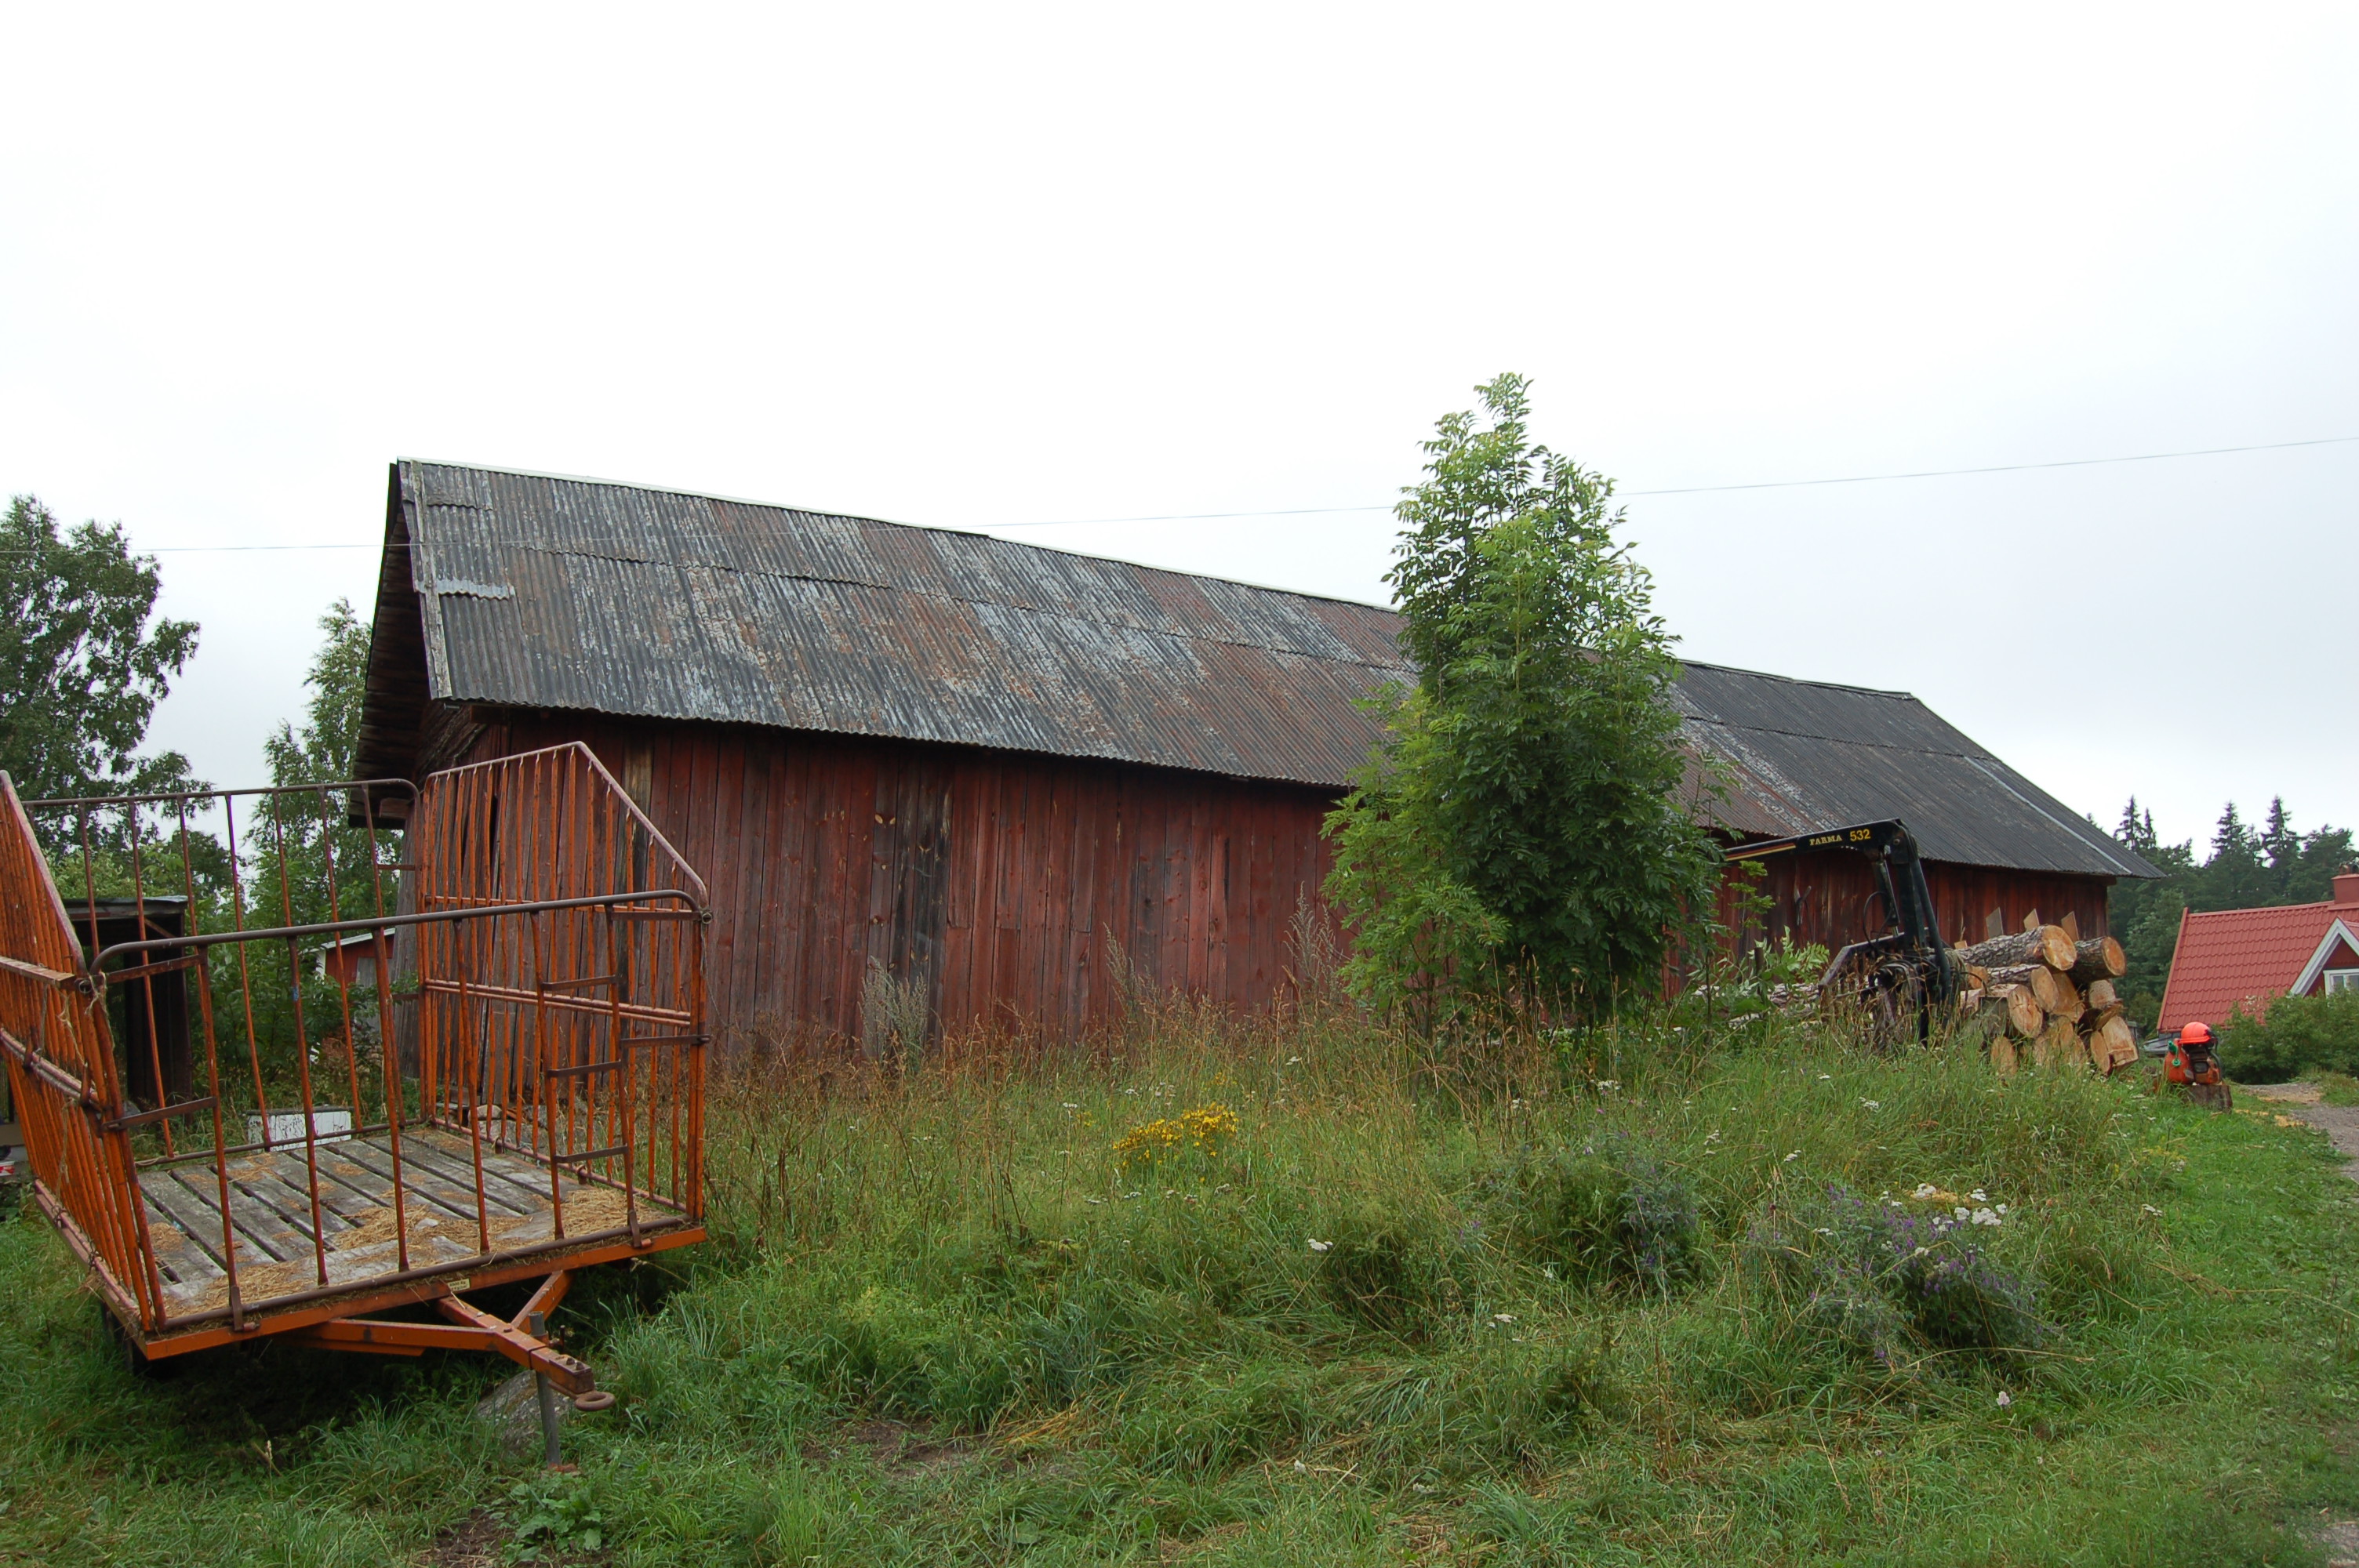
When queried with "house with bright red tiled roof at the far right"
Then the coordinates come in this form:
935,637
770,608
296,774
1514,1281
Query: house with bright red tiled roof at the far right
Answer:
2247,958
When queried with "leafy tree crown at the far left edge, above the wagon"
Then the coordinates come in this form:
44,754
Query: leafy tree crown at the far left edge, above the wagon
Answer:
84,659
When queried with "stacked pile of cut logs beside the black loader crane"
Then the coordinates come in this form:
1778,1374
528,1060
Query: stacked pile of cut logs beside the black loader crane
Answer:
2046,999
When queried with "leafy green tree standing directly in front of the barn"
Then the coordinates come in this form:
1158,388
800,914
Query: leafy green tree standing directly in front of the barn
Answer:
1520,831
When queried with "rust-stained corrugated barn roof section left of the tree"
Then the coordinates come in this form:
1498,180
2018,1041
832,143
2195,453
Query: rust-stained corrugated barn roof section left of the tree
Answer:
567,593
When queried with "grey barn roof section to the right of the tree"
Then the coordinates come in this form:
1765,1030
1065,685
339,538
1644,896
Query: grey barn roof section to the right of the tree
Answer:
1806,756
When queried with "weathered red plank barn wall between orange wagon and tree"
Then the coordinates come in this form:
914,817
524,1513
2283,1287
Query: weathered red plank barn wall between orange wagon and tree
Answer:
992,878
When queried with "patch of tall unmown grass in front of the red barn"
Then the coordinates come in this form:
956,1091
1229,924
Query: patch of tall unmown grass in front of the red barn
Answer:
1414,1258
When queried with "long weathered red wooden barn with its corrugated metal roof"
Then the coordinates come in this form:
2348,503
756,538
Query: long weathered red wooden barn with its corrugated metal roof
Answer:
1016,779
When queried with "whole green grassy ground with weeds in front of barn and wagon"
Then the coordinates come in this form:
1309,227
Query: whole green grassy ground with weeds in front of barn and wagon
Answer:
1652,1300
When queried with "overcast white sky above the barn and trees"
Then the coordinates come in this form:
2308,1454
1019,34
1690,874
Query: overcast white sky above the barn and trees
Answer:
983,268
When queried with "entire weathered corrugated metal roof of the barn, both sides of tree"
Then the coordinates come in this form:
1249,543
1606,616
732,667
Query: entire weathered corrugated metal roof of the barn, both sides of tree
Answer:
572,593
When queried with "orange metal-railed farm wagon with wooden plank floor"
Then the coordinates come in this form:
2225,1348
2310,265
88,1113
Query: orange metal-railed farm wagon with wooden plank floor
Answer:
482,1067
